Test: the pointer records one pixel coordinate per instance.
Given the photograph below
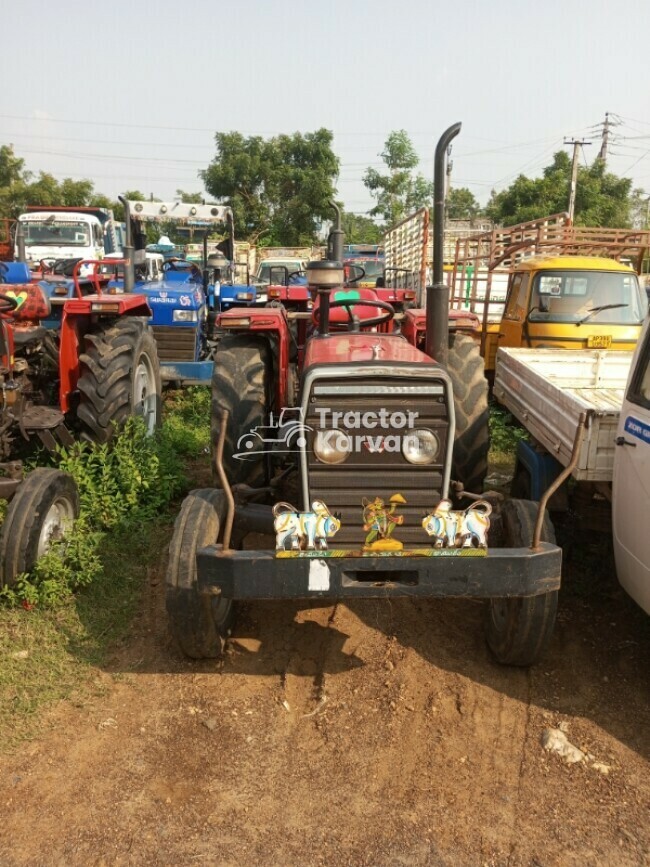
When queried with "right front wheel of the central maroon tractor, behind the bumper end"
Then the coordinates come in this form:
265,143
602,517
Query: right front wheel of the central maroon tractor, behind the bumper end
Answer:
519,629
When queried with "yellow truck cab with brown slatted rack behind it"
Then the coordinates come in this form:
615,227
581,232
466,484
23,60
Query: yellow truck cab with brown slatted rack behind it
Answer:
532,286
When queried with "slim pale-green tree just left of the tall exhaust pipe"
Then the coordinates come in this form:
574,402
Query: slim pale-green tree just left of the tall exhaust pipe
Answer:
398,192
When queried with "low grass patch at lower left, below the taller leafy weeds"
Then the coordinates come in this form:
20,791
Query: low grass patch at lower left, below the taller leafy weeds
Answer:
67,643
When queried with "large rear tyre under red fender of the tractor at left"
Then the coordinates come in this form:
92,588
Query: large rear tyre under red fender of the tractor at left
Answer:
119,378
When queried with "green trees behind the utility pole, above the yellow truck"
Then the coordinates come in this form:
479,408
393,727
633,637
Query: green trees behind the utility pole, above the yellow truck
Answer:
602,198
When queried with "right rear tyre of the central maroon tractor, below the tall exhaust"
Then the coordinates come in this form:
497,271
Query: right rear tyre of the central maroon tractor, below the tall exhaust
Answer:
472,442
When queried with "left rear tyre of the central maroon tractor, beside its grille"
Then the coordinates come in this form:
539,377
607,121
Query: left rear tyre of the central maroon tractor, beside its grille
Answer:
242,367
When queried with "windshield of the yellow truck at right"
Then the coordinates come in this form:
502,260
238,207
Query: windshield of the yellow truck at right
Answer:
606,297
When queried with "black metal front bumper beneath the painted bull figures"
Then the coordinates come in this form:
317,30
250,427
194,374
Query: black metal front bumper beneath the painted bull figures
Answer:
499,572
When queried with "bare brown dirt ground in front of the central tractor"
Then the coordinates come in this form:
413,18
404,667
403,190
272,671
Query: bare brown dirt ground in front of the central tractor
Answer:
376,733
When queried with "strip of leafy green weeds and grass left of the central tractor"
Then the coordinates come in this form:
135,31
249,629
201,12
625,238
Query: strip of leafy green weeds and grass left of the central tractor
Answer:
59,628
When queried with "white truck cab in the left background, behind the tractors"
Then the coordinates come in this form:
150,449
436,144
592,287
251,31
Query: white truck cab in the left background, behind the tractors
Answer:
55,233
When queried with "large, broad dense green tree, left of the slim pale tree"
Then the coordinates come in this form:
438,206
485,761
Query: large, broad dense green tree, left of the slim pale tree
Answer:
278,188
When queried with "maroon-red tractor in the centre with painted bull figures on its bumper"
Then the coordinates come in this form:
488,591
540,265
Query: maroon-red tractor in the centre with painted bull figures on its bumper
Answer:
391,439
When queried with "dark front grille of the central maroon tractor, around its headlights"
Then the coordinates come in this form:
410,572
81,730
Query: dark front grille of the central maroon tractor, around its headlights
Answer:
378,474
